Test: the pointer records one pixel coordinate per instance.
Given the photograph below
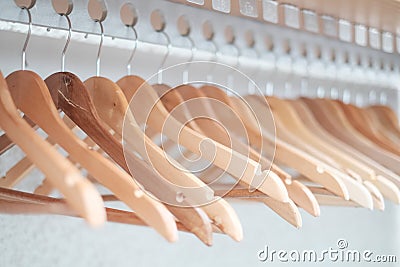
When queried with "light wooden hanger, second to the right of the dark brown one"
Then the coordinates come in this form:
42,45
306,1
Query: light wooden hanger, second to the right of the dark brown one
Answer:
147,108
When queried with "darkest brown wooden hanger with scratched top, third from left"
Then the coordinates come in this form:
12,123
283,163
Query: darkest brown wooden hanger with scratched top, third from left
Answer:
74,99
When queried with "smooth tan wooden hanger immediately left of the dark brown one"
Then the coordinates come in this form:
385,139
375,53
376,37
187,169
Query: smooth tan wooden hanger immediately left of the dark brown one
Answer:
38,105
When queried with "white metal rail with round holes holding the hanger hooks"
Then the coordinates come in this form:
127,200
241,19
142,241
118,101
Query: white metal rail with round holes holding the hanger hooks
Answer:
281,59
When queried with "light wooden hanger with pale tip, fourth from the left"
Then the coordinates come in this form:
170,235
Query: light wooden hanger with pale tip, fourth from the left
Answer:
109,100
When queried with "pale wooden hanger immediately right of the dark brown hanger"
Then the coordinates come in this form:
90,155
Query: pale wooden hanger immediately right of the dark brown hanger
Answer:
112,107
